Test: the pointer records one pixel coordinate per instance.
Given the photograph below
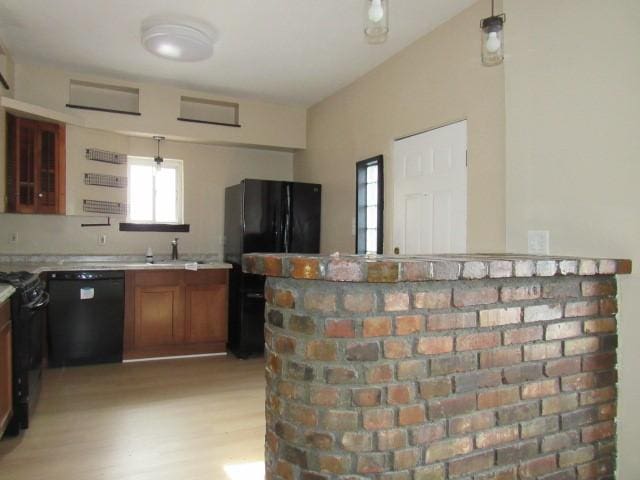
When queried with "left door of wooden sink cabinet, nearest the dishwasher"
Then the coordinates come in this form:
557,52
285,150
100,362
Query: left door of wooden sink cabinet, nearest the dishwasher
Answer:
159,317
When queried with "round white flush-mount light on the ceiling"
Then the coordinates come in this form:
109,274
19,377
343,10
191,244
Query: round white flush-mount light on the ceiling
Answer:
183,41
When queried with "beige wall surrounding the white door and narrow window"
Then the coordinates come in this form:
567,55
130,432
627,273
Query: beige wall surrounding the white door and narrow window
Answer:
436,81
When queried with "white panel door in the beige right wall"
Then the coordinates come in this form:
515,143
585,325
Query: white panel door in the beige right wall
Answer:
430,192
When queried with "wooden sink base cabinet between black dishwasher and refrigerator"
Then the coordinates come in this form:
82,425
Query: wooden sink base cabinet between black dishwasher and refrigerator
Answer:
174,312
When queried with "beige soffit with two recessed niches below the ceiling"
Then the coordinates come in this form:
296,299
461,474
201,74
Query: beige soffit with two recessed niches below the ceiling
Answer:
263,124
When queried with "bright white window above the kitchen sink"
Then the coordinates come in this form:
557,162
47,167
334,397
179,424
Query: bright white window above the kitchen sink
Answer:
155,194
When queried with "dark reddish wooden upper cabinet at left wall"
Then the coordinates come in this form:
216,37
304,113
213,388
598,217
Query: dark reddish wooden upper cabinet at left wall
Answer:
35,166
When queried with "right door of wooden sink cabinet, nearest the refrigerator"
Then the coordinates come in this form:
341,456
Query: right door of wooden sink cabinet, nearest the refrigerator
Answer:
206,313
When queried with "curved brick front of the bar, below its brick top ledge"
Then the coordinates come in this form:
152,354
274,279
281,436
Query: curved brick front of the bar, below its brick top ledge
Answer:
496,378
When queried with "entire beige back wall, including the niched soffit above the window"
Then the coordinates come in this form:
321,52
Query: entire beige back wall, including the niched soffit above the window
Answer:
208,169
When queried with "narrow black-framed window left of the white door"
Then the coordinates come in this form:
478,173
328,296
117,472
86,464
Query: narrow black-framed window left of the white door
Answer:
361,205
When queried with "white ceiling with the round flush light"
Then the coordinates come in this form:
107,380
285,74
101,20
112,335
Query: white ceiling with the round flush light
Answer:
288,51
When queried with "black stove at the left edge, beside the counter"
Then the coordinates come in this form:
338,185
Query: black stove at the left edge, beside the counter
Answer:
28,314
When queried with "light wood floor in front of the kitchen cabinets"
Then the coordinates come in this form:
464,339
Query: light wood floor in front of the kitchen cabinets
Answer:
200,418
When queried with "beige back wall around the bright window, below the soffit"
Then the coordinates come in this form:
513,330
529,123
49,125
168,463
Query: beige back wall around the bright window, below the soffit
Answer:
208,170
